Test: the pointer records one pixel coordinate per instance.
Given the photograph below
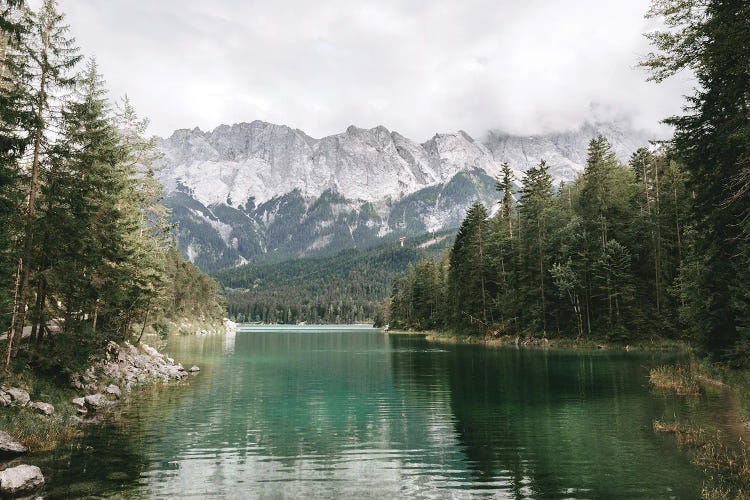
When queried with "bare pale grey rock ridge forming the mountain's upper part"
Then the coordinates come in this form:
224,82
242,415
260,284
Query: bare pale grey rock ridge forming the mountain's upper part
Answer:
261,160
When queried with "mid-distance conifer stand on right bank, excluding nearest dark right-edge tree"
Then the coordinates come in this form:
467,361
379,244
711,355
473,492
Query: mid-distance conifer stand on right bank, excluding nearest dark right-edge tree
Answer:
595,257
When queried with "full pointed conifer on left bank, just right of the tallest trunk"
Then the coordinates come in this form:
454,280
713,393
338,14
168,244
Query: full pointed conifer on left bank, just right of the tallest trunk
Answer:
84,211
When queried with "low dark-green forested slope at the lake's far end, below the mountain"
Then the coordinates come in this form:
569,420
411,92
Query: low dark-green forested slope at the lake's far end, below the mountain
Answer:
346,287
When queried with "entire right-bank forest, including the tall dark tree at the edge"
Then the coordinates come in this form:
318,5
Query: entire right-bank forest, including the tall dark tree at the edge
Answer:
626,252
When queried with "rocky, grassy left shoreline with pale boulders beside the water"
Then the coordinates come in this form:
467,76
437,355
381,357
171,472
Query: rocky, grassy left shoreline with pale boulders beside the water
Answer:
114,380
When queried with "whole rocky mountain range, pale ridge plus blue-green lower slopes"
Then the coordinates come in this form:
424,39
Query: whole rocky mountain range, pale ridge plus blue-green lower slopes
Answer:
257,190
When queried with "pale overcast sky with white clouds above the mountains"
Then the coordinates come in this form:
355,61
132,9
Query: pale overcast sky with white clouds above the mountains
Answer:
415,66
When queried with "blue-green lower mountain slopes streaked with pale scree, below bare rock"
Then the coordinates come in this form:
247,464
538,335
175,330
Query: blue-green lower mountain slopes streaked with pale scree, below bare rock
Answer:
290,226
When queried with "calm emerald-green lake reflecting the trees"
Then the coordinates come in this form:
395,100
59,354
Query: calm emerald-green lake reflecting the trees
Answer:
354,413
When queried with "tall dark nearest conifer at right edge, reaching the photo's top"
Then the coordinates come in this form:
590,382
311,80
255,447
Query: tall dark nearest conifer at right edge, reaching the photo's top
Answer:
712,140
